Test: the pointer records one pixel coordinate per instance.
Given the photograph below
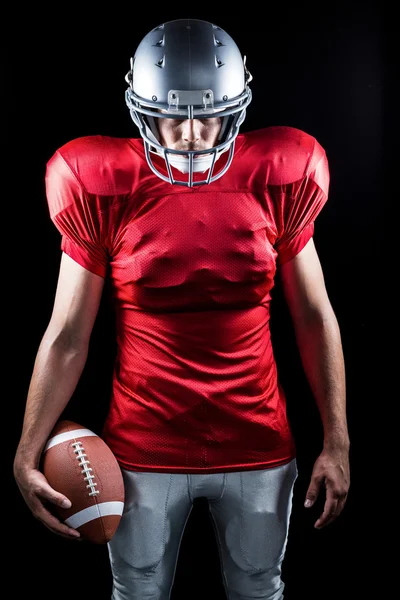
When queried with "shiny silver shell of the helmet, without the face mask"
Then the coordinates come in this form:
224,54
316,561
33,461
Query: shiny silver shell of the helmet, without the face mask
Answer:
189,55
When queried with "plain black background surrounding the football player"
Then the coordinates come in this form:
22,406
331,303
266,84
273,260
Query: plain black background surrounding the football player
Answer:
328,70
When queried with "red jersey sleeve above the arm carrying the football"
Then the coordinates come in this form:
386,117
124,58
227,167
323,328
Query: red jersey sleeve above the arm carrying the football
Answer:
75,214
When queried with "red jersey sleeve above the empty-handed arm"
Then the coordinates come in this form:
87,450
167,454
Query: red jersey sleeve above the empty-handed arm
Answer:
300,204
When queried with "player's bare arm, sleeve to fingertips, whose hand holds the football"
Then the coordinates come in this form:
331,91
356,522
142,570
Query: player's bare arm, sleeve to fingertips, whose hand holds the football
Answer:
58,366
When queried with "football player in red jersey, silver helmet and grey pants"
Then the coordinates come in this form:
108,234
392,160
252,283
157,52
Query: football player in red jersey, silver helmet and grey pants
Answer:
190,221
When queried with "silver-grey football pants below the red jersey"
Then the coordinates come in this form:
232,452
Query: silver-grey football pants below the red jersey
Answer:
250,513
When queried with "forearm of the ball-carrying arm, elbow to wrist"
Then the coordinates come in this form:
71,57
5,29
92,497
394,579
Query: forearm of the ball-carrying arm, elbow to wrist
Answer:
57,369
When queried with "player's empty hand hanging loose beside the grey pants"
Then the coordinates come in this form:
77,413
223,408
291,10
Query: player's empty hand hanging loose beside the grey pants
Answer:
332,470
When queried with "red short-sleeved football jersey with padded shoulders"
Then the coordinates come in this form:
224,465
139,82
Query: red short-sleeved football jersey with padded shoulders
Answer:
195,386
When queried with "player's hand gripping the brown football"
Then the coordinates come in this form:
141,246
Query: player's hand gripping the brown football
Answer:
38,493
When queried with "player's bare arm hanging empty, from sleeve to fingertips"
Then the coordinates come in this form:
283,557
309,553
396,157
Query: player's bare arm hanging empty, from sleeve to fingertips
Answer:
319,342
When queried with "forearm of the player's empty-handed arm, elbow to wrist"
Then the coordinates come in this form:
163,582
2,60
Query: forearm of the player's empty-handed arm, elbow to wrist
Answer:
321,352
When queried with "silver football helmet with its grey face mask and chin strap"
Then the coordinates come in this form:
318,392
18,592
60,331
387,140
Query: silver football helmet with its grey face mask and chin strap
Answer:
188,69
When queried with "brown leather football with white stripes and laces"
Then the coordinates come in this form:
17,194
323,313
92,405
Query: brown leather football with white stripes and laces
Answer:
79,464
